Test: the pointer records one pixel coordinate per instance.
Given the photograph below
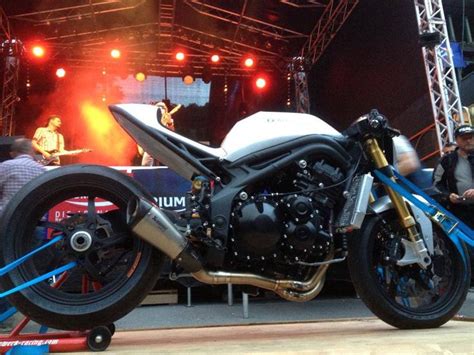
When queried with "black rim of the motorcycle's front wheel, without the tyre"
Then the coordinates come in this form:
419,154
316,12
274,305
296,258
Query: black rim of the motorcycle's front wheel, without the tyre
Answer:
411,288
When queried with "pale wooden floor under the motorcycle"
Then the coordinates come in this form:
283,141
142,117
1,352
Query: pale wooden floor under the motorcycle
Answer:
367,336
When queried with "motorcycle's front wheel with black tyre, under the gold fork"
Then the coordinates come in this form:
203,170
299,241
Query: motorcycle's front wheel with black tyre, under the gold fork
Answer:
406,297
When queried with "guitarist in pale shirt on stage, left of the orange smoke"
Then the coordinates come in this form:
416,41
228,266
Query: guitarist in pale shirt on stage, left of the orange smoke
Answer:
47,141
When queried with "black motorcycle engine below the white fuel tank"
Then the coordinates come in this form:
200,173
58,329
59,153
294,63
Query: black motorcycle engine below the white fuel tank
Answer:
289,221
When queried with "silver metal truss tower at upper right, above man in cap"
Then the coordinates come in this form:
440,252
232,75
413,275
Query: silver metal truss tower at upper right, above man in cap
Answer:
440,72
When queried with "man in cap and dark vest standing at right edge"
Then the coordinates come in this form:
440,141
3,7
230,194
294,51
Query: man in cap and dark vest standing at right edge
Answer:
453,176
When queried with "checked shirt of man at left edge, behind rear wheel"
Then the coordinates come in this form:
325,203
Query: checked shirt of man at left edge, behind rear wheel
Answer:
15,173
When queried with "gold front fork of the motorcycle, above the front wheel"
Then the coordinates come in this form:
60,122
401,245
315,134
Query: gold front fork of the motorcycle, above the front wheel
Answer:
408,222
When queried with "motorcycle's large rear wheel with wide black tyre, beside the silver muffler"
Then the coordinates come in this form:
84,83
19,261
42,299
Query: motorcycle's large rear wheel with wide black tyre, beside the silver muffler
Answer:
85,206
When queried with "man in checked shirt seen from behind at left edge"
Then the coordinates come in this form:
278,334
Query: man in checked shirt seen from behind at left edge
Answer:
15,173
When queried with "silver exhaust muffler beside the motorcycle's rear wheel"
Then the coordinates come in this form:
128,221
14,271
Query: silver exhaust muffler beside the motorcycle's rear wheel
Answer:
151,224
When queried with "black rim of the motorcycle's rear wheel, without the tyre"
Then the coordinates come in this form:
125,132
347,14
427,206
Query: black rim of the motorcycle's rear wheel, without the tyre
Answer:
107,265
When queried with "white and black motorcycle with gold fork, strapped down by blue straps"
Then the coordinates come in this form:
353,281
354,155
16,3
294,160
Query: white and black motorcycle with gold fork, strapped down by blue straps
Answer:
284,197
